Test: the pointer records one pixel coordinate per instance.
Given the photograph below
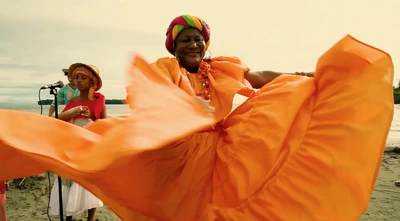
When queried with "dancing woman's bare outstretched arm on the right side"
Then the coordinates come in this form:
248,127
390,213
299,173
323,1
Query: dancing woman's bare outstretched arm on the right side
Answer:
258,79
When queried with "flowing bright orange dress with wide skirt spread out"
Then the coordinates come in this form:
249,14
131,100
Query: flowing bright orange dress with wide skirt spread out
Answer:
298,149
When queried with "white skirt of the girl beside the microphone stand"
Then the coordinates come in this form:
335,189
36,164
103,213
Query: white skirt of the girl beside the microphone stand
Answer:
76,199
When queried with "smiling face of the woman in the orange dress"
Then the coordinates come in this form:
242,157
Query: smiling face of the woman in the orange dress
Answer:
190,48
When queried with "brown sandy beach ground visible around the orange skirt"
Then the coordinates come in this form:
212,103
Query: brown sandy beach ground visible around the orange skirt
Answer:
28,201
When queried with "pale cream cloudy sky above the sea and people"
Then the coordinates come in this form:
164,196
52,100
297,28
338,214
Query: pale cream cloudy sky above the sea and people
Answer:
40,37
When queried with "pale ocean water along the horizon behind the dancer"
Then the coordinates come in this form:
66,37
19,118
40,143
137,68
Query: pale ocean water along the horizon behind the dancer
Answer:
122,109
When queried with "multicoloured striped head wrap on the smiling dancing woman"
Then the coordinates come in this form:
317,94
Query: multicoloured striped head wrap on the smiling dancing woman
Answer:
184,21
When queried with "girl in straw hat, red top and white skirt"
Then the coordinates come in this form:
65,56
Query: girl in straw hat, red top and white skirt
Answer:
81,110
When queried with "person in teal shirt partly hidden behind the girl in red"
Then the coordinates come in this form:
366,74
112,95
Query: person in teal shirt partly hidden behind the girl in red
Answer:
65,94
